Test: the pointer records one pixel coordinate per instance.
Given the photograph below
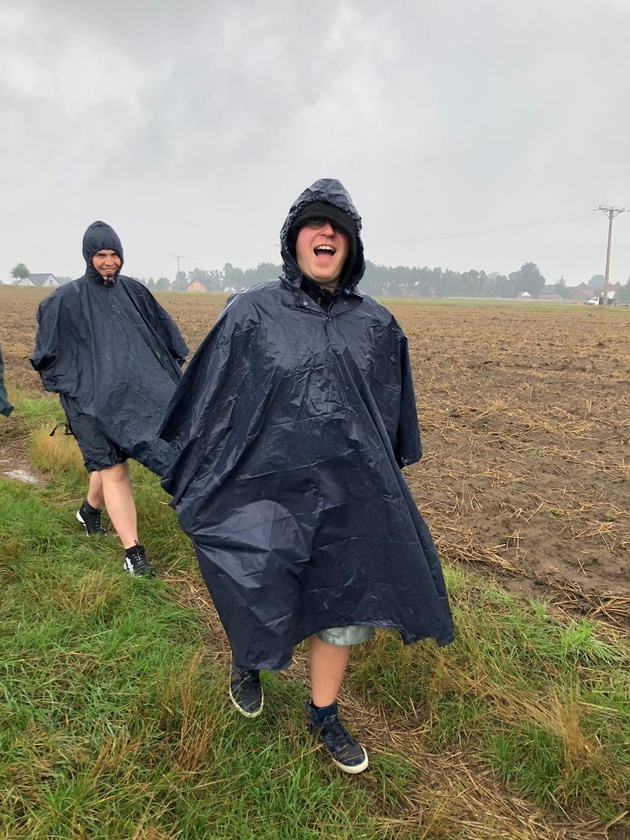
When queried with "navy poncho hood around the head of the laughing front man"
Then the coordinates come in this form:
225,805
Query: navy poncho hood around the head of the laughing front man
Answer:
328,191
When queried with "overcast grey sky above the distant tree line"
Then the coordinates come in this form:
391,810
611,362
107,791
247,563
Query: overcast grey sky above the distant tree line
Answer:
470,134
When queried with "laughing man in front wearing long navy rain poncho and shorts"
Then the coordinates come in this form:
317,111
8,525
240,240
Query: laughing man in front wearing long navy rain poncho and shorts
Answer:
292,423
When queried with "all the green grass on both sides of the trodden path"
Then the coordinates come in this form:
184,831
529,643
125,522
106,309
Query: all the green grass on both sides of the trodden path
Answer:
114,720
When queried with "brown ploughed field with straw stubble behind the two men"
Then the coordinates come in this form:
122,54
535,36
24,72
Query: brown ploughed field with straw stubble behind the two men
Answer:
525,416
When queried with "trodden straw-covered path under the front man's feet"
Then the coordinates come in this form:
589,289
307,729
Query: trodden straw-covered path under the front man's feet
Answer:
451,794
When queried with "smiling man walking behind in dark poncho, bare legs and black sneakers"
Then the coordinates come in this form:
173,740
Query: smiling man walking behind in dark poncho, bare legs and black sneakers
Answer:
114,356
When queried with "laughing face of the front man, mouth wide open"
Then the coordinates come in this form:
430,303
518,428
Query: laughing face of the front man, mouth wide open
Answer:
321,252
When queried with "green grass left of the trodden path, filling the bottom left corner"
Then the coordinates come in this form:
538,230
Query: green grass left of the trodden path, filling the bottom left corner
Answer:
112,717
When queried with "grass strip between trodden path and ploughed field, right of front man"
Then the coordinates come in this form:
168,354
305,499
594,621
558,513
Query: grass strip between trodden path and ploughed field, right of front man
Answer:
545,703
